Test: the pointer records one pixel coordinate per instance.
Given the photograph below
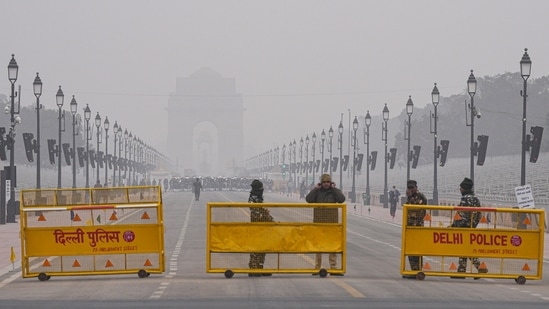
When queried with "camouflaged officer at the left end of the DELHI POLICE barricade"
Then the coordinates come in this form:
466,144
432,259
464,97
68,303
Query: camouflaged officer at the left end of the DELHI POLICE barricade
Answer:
414,218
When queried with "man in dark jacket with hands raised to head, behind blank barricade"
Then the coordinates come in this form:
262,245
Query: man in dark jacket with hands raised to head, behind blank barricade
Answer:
325,192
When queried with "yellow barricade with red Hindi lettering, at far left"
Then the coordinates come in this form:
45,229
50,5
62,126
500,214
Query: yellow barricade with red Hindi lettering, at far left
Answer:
99,231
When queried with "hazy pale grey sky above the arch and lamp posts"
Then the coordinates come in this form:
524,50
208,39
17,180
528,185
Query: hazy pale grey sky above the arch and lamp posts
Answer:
298,64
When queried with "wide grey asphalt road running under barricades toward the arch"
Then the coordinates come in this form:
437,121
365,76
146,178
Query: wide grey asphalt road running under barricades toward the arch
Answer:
372,279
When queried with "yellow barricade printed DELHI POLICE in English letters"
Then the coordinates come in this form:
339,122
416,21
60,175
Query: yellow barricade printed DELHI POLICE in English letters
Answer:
506,242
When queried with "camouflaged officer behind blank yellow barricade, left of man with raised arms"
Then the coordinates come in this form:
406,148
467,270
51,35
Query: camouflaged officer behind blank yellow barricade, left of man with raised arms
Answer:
258,214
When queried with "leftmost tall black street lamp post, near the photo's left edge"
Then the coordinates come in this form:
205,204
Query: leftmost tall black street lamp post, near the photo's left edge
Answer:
13,70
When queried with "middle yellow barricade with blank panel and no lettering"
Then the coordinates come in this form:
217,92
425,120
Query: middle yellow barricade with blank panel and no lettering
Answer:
266,238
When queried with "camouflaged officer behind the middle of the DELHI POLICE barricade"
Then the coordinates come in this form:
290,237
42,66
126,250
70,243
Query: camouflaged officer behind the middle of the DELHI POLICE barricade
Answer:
468,219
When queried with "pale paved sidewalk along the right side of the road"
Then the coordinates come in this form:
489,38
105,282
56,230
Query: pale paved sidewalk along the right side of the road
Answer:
382,214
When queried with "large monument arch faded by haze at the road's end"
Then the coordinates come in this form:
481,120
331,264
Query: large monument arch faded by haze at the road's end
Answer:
205,124
